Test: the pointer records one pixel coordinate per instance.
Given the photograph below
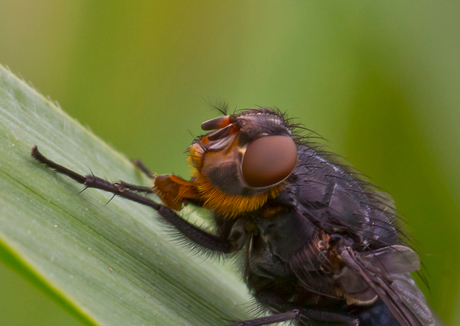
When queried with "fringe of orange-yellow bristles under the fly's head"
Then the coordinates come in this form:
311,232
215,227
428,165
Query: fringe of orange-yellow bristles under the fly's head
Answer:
227,205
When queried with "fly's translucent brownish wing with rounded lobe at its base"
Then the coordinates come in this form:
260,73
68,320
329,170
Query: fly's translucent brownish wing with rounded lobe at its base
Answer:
385,273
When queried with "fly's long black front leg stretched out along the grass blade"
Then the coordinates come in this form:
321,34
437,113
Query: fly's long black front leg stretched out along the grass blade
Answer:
195,234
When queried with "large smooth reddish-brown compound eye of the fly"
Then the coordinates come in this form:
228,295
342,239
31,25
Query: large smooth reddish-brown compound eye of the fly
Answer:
269,160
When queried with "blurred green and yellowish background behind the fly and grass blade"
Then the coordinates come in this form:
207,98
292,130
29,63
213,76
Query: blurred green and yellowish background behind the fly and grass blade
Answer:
380,80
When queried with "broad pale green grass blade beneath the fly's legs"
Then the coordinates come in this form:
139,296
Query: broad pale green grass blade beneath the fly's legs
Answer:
106,264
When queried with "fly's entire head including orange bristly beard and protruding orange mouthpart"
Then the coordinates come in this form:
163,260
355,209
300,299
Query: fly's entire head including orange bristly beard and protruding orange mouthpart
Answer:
240,164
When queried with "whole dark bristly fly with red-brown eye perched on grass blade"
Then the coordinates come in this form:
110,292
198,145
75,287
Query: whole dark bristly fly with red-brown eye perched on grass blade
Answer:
320,245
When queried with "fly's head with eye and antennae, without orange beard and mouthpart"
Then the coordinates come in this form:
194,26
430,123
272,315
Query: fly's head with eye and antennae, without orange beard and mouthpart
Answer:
245,154
